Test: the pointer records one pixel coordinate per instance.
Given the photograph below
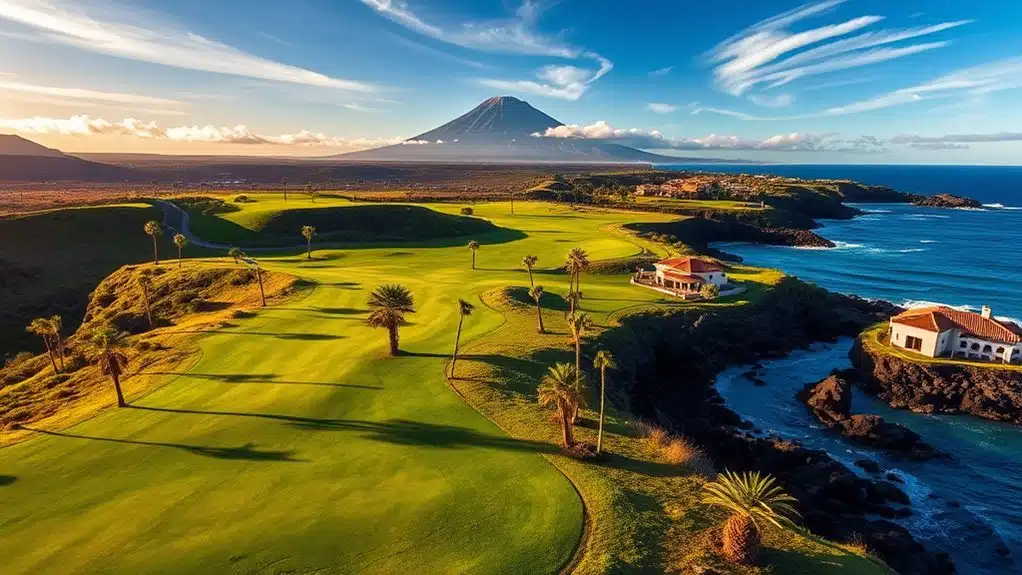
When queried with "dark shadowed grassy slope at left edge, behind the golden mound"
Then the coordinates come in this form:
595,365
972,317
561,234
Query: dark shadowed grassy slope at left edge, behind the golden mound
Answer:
51,261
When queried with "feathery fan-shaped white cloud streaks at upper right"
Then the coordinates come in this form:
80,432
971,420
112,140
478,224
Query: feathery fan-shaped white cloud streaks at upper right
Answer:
768,55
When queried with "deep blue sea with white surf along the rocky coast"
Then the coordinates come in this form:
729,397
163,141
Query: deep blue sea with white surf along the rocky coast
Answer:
910,255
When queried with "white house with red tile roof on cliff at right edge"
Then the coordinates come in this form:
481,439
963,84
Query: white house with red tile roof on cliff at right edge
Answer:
940,331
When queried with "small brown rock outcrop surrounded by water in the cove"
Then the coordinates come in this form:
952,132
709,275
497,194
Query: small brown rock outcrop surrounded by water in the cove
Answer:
830,402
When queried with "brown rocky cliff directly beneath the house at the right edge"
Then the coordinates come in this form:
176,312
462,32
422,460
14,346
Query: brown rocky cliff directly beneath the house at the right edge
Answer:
994,394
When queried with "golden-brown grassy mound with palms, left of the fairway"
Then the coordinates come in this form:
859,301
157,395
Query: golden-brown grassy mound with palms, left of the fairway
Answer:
182,301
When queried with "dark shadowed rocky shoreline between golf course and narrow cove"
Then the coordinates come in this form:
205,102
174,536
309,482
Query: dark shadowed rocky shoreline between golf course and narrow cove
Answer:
834,501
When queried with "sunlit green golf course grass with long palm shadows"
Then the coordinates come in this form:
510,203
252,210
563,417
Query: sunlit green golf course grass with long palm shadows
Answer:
295,445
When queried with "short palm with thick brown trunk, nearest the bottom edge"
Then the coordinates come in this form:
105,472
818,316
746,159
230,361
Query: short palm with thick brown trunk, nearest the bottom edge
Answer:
751,498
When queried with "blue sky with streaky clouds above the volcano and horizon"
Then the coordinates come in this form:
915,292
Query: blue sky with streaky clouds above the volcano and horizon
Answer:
830,82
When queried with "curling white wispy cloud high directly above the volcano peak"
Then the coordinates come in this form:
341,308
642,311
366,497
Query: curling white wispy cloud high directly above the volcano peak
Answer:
515,35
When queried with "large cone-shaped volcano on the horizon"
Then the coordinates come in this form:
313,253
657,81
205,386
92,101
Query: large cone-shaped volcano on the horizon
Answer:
500,130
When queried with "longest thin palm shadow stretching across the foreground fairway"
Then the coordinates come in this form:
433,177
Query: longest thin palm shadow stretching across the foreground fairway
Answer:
402,433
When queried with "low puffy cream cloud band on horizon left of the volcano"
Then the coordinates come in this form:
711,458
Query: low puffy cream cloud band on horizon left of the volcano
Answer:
86,126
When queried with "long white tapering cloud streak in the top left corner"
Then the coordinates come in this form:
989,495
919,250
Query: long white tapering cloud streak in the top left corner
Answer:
108,30
